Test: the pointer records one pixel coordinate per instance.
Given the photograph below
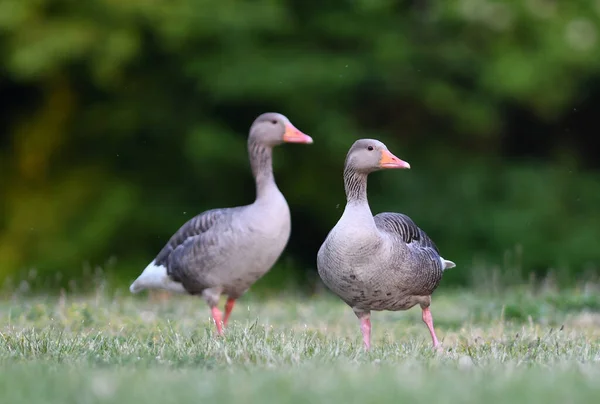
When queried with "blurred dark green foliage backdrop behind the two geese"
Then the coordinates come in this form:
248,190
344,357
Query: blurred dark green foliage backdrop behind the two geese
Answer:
120,120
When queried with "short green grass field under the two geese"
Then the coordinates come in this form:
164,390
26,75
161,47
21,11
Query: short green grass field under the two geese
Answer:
506,347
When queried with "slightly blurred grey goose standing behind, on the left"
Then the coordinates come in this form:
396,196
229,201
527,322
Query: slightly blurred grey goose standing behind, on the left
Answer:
224,251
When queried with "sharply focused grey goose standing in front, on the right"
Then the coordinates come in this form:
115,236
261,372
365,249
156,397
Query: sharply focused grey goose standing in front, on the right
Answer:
378,263
